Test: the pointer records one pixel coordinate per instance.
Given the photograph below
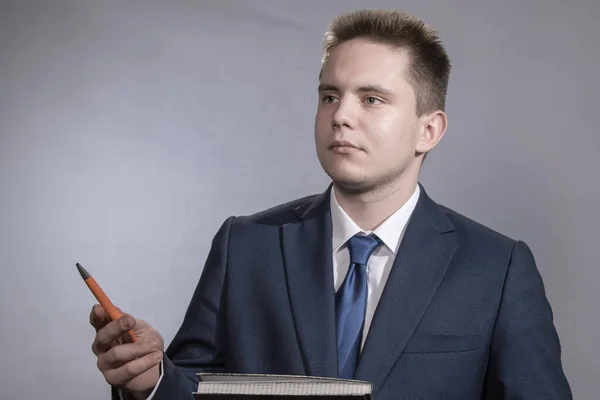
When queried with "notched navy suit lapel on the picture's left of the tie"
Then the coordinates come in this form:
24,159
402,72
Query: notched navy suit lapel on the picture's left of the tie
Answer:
308,267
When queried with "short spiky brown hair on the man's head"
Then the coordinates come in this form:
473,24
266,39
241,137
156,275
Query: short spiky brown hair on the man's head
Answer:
429,71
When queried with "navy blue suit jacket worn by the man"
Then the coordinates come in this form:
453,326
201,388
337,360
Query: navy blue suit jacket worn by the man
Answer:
463,315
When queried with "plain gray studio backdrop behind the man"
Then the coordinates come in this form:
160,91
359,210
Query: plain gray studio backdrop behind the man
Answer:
131,129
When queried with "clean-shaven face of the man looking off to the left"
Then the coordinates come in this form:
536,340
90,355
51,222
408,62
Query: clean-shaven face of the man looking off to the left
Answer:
366,127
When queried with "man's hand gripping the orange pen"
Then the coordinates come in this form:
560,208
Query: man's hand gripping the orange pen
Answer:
131,366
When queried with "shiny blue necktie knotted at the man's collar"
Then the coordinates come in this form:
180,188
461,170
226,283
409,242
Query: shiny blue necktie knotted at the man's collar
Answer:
351,304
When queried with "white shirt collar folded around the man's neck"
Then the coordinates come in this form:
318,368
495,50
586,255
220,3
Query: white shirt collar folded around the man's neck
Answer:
390,231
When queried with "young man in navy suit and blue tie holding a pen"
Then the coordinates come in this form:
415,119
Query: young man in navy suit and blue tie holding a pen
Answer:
371,279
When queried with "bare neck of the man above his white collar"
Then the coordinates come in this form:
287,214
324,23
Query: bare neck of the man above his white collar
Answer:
369,209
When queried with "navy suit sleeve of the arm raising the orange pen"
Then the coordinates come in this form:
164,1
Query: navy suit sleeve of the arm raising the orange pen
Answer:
200,344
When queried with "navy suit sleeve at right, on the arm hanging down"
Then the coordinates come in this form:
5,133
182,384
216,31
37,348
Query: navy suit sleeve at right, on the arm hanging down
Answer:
525,356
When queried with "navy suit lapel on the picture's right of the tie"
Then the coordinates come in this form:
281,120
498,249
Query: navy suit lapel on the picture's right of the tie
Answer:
423,257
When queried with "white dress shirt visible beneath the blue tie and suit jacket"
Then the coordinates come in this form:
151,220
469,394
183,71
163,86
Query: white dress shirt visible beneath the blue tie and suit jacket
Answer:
380,263
